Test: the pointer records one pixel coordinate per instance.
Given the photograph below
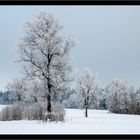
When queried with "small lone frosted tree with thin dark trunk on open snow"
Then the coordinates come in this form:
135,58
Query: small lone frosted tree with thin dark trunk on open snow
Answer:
86,87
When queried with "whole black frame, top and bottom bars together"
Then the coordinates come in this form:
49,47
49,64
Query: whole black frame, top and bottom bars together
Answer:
65,3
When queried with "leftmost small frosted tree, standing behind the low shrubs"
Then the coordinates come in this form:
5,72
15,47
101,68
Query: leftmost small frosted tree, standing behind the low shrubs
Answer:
17,89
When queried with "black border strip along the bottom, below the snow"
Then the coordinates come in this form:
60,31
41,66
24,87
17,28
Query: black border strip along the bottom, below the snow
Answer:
70,136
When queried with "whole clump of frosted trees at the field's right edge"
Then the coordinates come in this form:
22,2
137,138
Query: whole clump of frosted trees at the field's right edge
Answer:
122,98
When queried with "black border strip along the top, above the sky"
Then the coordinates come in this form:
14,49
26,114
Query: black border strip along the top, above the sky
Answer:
69,2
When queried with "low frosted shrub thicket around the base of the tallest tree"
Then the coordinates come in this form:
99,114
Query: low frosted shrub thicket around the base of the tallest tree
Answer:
36,111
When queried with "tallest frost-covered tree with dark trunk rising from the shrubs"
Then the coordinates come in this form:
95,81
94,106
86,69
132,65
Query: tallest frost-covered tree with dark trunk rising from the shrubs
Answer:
45,53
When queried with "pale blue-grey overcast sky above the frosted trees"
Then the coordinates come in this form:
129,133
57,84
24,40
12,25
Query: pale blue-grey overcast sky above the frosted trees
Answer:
108,39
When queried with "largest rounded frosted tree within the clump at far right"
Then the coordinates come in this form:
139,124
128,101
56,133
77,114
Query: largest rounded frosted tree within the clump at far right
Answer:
118,96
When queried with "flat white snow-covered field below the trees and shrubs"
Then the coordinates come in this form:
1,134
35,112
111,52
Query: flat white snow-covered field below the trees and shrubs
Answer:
98,122
